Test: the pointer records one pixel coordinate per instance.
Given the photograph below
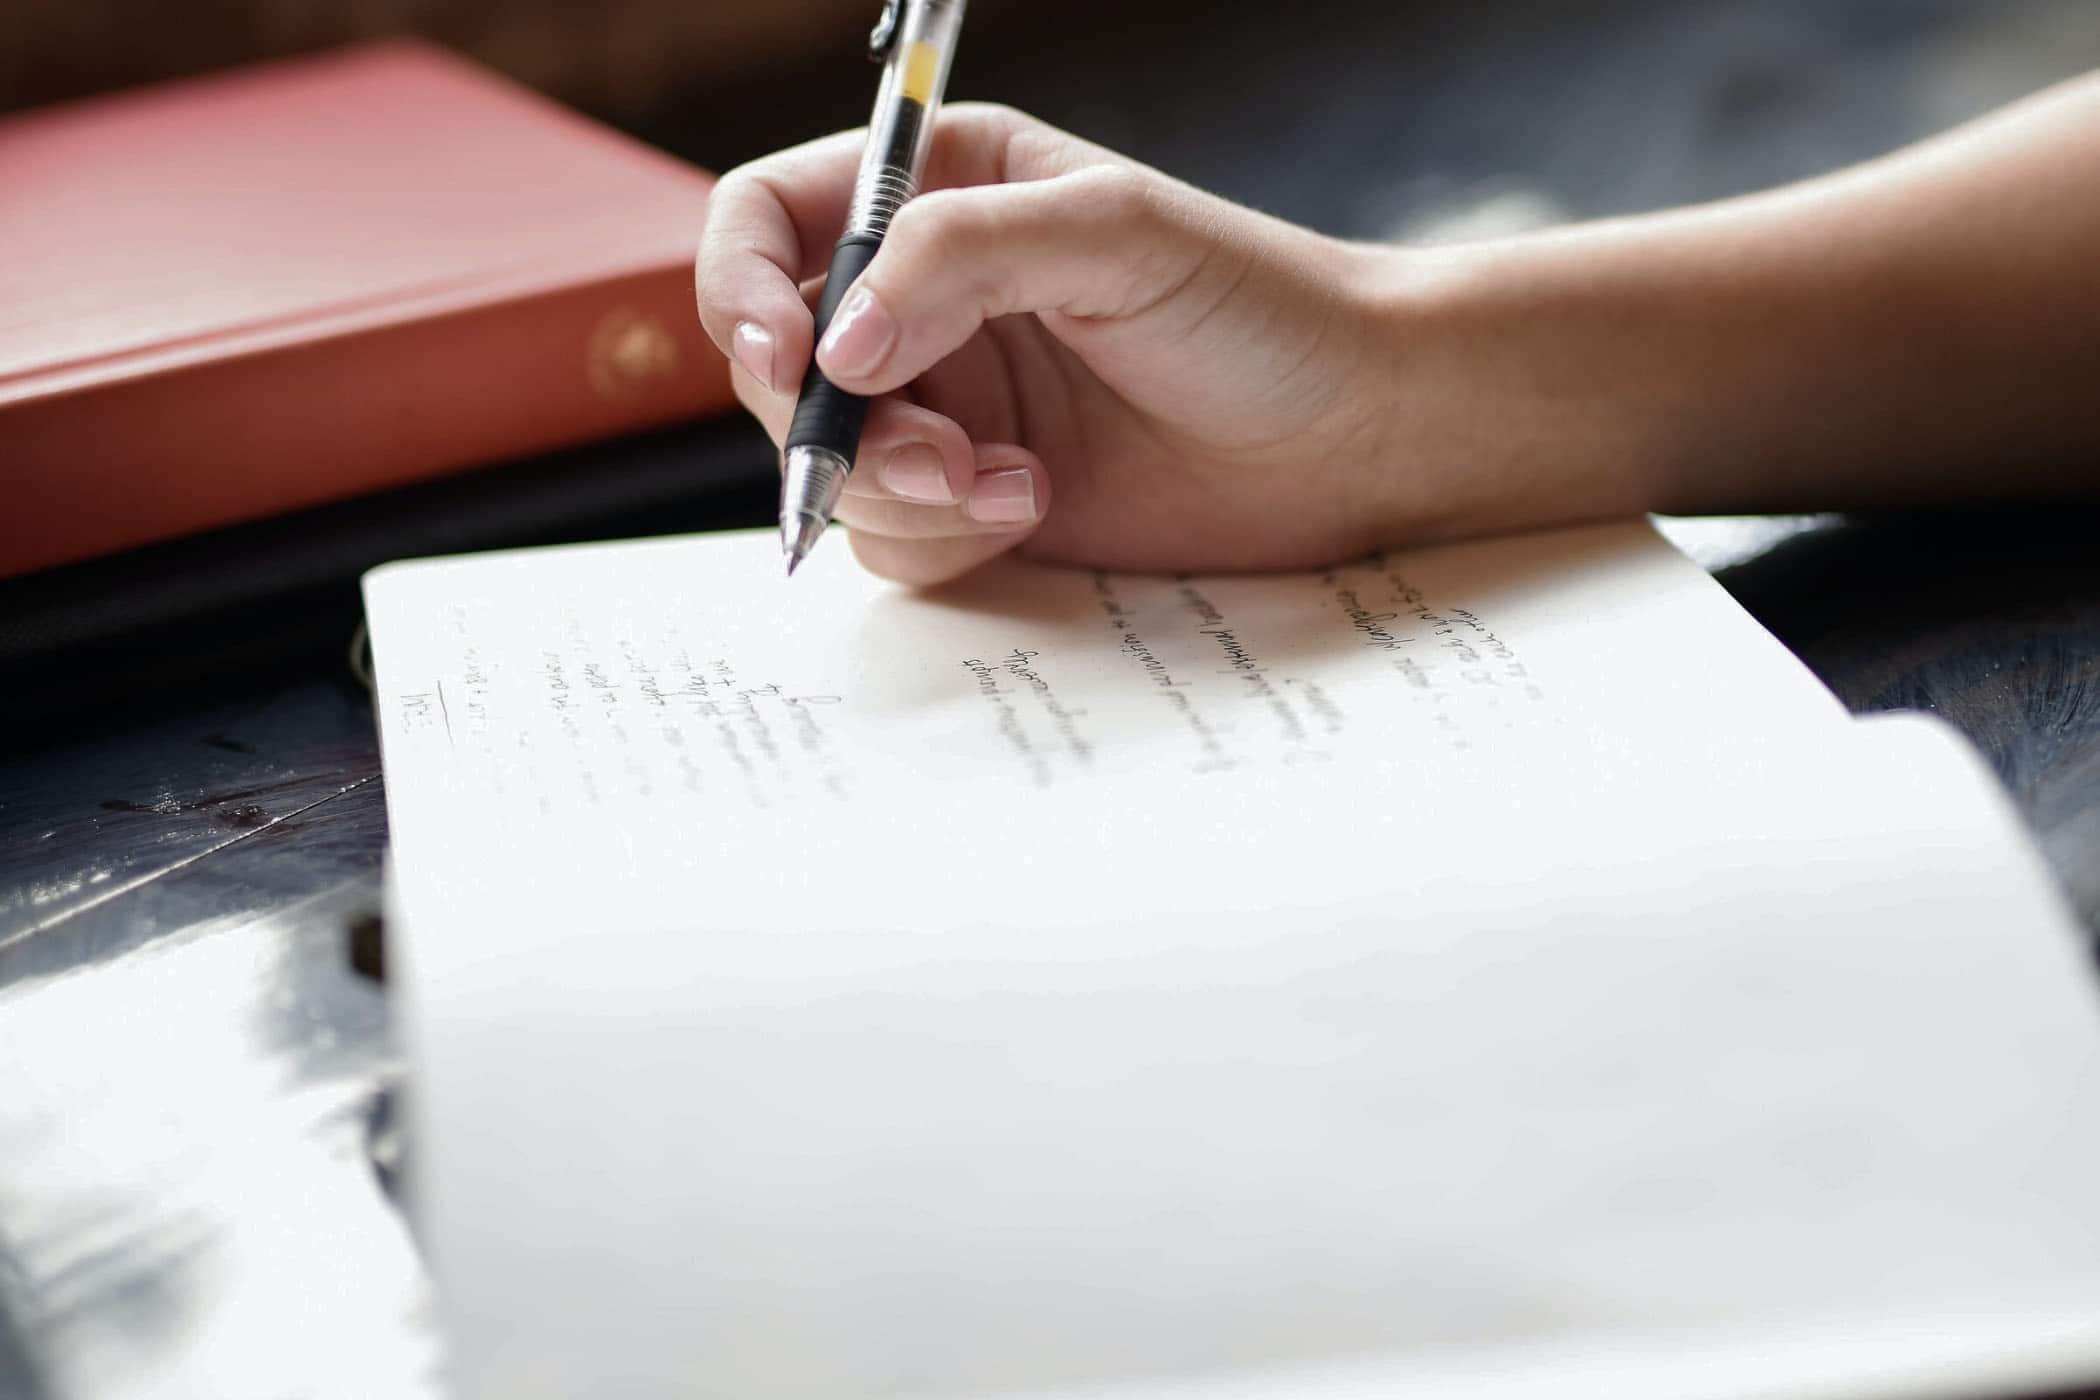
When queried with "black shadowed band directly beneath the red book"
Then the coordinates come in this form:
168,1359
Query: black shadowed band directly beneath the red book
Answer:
110,643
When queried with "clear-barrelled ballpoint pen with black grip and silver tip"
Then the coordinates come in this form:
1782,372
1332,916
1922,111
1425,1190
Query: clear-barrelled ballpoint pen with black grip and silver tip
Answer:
915,43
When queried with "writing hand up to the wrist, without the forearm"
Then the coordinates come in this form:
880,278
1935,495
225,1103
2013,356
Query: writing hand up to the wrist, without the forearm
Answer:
1072,356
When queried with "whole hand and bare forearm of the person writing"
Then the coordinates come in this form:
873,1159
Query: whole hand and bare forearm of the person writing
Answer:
1085,360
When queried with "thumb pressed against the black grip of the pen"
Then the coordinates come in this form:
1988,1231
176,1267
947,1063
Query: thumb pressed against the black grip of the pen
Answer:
1104,242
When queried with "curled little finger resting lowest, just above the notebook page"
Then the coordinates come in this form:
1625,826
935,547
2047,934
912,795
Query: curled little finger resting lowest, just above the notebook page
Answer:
931,545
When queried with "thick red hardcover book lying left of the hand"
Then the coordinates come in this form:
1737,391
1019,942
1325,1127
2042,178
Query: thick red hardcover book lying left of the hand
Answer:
257,293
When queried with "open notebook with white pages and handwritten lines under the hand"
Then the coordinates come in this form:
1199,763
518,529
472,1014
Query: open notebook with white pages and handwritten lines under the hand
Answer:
1479,973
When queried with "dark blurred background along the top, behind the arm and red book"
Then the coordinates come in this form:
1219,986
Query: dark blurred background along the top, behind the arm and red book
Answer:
1368,119
